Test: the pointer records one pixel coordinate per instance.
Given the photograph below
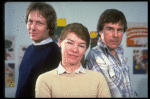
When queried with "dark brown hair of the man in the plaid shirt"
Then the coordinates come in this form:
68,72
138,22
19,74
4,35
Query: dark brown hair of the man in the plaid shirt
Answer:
111,16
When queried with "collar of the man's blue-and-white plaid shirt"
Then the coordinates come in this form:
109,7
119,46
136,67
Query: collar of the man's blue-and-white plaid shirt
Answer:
101,44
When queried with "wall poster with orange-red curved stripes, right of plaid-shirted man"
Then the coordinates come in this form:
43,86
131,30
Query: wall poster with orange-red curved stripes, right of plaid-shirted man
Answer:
137,34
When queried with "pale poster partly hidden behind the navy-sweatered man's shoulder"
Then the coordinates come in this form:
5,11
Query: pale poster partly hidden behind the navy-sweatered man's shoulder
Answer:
22,49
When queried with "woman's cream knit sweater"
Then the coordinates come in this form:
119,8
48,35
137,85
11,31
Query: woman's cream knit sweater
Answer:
90,84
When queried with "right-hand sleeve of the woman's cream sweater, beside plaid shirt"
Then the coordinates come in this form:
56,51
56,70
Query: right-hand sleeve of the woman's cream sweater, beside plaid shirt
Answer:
103,89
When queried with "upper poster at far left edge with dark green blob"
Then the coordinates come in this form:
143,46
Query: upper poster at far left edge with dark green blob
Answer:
10,48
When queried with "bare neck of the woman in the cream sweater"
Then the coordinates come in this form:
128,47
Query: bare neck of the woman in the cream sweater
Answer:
70,67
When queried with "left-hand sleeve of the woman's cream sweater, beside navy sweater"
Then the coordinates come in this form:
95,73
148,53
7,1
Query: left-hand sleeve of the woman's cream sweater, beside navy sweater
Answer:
42,90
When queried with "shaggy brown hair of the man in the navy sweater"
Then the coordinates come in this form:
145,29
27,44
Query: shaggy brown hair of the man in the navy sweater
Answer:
46,11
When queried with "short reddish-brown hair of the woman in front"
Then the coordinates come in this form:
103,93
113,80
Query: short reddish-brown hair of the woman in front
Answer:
80,30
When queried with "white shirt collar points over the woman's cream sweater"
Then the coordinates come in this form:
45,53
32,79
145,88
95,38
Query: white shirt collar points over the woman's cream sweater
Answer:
62,70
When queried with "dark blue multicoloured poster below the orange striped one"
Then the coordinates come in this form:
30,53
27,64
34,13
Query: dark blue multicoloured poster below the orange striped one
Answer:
140,61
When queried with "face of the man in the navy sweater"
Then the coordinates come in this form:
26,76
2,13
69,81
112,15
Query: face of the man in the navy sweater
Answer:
37,27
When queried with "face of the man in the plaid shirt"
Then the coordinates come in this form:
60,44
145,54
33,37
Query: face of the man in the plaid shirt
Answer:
112,35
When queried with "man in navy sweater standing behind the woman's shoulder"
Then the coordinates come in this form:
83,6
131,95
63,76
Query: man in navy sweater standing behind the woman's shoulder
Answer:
44,54
